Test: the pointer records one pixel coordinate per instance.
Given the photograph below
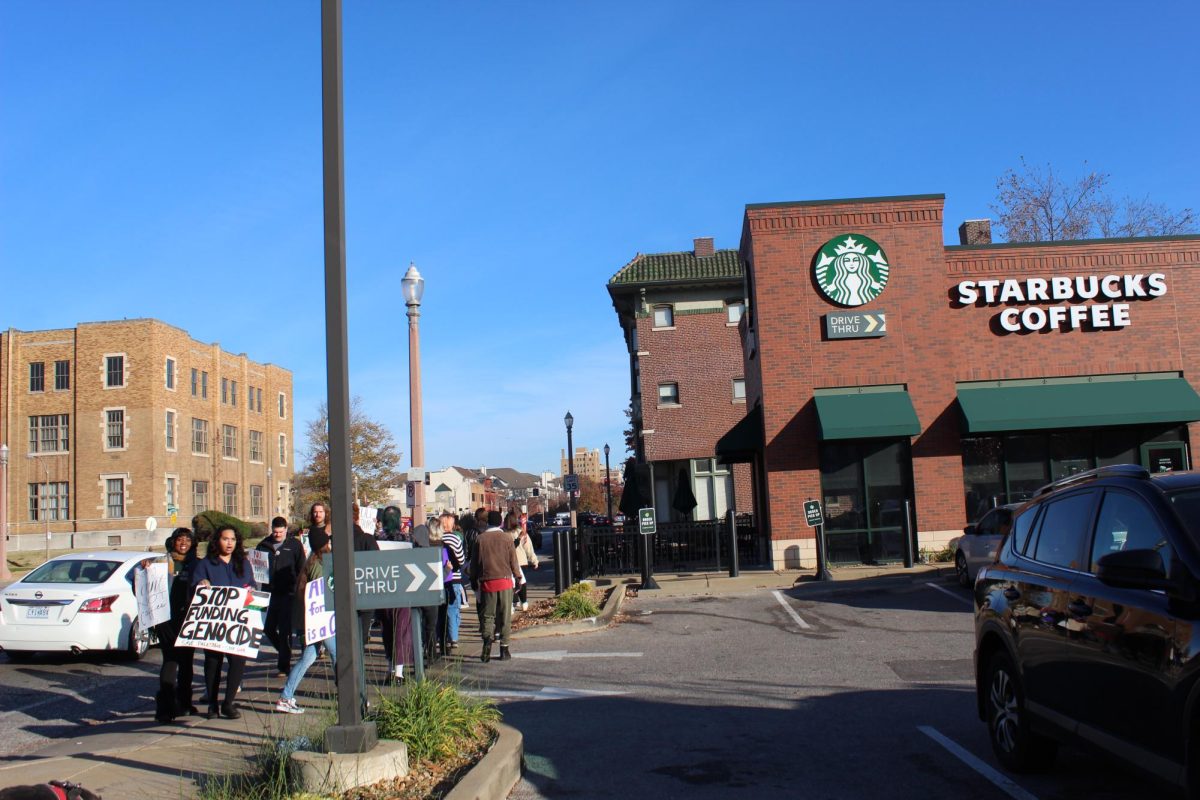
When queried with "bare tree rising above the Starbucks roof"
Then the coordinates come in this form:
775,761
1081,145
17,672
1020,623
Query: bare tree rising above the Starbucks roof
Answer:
1039,204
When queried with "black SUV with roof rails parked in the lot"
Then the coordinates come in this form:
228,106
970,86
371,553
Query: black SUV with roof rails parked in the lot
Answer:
1088,627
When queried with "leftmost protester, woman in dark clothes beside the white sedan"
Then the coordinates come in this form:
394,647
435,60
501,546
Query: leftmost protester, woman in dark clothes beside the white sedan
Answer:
175,697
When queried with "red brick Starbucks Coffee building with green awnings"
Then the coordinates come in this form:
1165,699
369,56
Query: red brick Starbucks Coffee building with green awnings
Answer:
891,376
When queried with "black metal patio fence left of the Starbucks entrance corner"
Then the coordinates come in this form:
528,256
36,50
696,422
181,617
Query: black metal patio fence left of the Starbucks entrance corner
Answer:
677,548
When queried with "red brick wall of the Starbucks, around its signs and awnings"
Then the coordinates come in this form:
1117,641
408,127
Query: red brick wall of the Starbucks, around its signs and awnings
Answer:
932,342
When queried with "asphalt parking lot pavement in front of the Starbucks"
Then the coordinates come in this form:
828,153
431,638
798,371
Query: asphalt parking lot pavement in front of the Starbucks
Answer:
730,696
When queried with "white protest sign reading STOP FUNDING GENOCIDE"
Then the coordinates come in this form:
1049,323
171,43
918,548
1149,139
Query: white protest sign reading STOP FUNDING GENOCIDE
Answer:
225,619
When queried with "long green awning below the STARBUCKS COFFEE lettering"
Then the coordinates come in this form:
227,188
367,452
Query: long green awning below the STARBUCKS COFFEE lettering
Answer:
1081,405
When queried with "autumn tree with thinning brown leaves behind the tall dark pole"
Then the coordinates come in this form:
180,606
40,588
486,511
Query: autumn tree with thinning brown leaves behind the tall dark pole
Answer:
375,459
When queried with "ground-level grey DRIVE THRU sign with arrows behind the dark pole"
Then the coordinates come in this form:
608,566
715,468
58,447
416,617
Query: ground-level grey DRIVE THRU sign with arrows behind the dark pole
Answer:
406,579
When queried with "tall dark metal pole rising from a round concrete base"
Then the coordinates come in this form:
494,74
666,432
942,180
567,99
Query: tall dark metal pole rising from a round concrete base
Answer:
351,735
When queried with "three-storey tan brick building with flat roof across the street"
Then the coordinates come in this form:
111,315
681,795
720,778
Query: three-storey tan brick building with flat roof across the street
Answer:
112,424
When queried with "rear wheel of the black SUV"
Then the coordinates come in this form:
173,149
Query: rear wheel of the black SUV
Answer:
1009,727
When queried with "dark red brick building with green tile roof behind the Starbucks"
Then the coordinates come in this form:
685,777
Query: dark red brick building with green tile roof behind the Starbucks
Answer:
680,314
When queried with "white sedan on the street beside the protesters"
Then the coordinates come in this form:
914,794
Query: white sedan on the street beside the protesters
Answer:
75,603
